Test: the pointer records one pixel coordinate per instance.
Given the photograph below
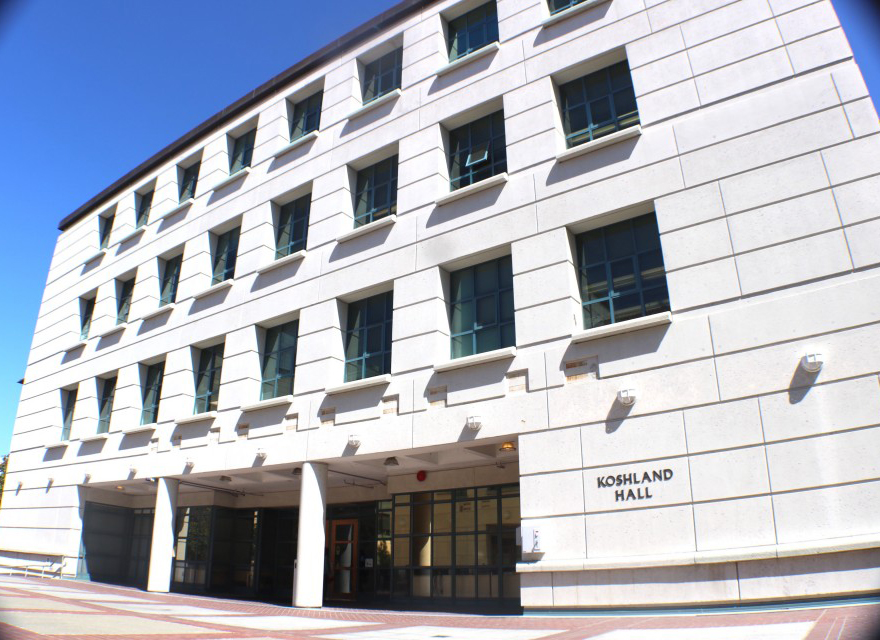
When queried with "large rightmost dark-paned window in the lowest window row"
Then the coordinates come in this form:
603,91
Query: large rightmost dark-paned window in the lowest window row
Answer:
621,272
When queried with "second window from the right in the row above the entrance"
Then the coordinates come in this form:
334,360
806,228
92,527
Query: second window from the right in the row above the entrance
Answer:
482,308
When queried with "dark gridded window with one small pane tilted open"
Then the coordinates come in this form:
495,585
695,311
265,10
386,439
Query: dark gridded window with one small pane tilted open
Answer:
477,151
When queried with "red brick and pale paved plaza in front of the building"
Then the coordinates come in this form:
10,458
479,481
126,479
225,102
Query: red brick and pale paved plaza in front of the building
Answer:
42,608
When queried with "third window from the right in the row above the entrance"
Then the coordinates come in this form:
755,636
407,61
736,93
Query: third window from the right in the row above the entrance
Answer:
368,337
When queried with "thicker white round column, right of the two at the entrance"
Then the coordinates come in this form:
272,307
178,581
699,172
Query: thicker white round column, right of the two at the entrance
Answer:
308,590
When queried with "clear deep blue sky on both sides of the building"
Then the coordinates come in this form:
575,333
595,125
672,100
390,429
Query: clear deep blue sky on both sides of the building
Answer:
90,89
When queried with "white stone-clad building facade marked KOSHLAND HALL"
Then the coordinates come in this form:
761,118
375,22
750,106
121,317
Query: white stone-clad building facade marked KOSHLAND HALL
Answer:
505,304
